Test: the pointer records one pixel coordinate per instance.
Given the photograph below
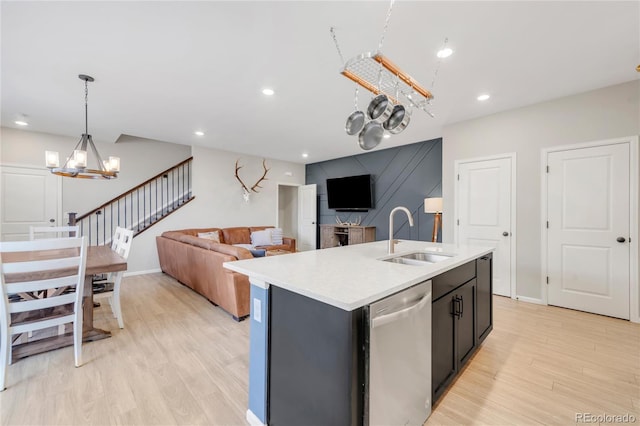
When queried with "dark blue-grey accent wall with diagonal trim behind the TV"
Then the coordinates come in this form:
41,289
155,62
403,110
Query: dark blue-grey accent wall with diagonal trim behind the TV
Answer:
402,176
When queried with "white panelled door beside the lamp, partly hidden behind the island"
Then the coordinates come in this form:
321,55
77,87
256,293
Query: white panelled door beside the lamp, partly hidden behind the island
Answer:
484,205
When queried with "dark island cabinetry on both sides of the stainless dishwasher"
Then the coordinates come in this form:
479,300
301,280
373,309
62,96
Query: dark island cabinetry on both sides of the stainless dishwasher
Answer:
317,372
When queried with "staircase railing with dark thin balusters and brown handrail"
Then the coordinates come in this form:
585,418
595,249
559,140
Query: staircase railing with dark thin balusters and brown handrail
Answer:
139,208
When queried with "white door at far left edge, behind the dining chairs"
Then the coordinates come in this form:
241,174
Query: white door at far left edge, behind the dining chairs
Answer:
30,197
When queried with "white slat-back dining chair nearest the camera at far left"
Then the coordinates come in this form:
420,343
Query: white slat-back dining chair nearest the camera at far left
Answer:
41,267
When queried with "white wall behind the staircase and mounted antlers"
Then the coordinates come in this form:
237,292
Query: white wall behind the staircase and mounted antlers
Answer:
218,202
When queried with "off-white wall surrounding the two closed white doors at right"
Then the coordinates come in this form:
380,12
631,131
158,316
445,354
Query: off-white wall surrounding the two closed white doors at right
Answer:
597,115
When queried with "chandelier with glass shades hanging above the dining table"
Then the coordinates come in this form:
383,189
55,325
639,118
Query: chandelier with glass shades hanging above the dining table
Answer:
76,165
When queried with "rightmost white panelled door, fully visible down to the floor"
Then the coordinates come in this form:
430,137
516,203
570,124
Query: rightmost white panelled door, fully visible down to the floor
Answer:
588,248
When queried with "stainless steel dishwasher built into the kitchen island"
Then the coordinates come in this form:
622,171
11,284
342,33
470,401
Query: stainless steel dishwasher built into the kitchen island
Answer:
399,362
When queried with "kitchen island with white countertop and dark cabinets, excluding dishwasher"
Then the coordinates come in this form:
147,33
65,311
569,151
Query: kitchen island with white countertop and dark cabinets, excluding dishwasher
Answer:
309,343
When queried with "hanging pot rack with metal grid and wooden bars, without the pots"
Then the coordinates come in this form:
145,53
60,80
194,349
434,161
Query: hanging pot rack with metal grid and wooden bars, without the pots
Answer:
379,75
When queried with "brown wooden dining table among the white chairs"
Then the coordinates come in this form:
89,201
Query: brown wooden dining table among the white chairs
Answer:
100,260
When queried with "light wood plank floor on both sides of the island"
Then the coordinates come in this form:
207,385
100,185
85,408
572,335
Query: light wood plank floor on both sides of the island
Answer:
180,360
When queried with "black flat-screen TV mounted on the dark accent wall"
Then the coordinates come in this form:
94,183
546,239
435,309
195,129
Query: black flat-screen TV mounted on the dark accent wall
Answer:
350,193
